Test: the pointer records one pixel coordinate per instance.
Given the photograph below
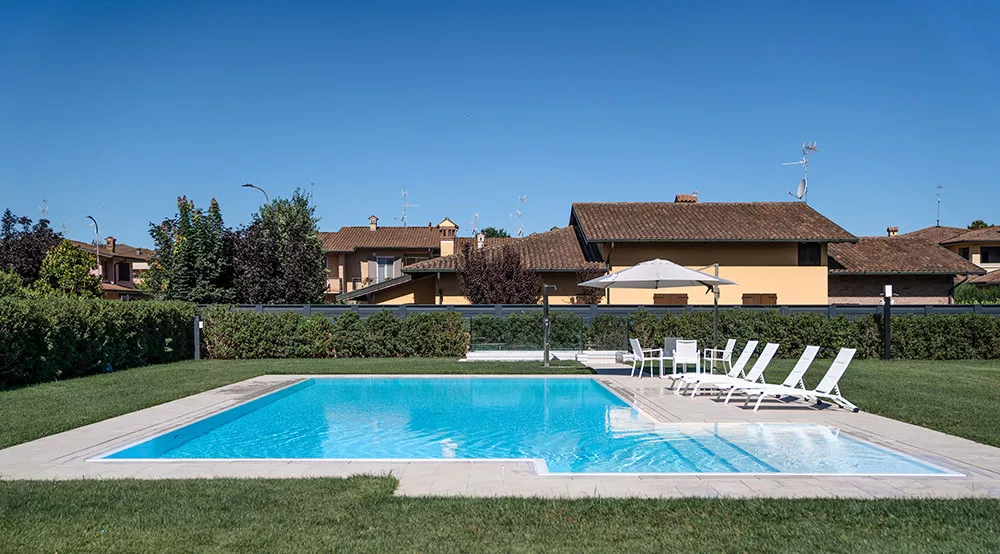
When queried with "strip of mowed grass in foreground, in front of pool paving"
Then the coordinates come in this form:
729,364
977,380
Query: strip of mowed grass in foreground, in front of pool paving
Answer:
360,514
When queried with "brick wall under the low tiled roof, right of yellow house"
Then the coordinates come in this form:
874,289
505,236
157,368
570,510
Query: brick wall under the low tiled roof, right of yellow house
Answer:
906,289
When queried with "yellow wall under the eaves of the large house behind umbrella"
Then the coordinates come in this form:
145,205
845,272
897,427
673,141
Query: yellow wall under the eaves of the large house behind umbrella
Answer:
756,267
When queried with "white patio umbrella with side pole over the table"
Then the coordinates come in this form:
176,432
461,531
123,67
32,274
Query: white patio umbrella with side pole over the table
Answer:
661,274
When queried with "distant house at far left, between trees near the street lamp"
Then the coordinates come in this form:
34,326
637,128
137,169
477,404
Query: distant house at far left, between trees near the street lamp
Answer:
120,267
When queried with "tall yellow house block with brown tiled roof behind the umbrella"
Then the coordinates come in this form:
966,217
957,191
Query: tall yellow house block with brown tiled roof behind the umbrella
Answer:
775,251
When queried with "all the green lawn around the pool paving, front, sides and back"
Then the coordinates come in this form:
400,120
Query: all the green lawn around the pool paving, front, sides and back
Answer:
362,515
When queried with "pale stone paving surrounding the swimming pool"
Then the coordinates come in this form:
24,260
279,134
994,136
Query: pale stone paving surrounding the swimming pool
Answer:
68,455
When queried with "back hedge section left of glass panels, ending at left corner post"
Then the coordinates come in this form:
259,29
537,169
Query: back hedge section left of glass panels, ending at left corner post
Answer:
241,334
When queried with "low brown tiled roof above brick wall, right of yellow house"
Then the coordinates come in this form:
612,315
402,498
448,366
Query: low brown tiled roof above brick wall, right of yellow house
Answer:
890,255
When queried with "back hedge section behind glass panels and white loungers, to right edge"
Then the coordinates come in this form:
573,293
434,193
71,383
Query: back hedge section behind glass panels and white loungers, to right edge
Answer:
929,337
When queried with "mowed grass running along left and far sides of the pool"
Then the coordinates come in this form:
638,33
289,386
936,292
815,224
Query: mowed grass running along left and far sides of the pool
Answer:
33,412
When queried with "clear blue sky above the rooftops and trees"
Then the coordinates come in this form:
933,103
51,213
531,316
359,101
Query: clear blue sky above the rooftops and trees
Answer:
114,108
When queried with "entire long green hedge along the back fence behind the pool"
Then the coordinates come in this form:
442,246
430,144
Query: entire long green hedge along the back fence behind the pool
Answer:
233,333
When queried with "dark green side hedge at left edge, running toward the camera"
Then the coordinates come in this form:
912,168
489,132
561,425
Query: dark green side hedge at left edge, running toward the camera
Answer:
50,338
